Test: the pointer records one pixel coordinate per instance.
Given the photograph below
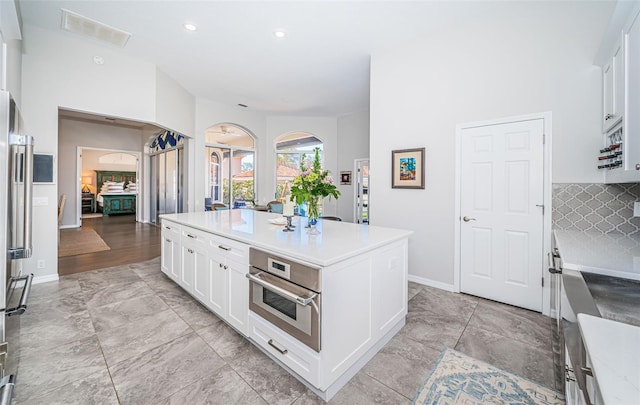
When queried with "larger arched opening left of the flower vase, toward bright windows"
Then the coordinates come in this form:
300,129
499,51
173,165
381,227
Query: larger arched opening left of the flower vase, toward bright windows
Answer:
230,167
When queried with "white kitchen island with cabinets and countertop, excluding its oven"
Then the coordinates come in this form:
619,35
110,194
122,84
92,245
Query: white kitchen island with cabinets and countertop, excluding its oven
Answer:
363,285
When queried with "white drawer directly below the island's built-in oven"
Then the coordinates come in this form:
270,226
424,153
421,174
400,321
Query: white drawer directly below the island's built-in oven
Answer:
293,354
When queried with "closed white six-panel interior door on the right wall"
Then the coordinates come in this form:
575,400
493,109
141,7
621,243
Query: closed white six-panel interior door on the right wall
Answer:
501,207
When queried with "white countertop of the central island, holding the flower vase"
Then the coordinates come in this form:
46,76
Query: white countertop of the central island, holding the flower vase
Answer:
336,242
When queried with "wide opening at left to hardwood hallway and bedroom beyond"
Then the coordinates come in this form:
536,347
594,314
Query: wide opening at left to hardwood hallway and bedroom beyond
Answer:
101,185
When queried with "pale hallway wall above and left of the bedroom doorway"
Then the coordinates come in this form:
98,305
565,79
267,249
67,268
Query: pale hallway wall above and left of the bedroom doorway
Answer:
77,133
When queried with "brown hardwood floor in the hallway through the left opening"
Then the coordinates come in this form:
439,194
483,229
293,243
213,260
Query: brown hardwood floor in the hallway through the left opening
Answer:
130,242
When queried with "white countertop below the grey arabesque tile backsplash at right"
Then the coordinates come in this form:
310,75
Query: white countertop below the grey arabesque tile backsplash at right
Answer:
610,254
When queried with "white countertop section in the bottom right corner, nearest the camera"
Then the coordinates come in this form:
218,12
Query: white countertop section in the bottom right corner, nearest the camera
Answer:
614,350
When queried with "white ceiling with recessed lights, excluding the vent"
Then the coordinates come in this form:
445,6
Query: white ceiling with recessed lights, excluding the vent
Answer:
321,67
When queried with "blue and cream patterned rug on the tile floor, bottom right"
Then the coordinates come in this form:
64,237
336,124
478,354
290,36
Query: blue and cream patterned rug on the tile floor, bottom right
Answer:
459,379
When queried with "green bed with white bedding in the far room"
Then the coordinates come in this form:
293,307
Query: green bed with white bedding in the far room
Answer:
111,203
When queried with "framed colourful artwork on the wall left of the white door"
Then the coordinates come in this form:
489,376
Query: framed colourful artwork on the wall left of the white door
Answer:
407,168
